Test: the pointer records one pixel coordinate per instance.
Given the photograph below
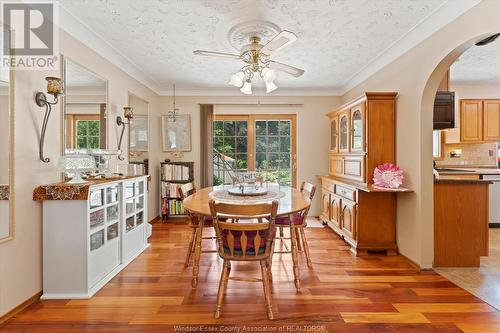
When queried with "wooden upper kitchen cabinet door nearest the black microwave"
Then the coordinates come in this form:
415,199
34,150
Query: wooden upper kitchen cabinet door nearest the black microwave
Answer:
471,124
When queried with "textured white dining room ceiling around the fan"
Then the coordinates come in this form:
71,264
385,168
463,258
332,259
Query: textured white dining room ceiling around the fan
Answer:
337,38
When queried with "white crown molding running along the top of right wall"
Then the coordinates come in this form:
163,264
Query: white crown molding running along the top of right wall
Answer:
443,15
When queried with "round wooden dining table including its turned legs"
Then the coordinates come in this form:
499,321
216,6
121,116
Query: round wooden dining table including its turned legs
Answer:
290,201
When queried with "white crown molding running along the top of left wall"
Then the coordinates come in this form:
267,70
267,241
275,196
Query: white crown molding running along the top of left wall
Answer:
82,32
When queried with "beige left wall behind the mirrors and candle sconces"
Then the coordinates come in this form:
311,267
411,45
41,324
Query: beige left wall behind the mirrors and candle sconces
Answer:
21,258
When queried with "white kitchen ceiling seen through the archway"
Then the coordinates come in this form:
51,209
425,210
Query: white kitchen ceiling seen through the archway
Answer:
478,65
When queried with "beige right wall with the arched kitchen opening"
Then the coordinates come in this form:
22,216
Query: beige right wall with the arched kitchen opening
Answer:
416,76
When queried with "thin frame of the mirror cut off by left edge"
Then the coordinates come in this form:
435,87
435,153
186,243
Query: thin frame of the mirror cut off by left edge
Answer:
11,146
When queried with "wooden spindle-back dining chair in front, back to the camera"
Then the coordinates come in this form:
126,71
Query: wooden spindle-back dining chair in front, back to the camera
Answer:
245,241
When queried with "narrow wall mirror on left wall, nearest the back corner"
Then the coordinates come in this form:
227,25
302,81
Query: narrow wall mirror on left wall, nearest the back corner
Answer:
138,143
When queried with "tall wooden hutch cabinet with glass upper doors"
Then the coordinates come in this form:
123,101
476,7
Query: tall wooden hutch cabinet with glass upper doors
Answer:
362,136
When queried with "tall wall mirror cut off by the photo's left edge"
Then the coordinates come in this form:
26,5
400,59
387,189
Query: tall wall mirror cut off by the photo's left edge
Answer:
6,153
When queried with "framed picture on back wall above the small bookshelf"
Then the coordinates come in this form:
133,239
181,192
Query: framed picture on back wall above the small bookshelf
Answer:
176,135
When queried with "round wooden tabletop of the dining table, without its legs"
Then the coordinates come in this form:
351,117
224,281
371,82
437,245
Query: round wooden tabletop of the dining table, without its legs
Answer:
291,202
